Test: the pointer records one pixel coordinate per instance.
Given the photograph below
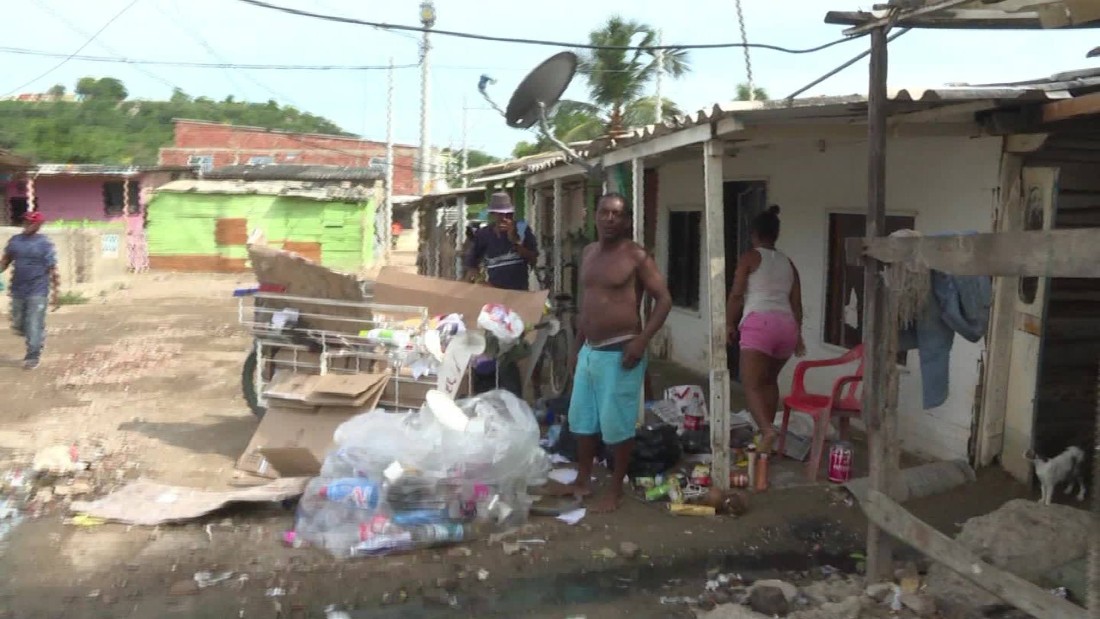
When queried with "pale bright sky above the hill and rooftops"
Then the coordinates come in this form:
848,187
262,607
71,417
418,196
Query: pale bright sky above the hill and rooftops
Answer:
229,31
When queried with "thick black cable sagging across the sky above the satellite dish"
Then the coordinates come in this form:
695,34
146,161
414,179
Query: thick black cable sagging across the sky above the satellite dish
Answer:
538,41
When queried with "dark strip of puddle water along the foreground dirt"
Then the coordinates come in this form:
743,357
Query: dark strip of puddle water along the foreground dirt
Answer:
518,598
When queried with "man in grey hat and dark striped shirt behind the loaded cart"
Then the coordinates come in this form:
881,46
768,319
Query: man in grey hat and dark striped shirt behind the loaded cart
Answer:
508,248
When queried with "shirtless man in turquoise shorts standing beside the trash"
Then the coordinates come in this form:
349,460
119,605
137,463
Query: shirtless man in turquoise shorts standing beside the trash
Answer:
610,359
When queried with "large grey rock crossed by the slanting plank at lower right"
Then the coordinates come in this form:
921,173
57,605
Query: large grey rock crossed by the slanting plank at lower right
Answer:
1024,538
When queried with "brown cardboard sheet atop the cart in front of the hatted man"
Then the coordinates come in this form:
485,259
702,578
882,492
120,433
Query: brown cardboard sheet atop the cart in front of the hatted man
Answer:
397,288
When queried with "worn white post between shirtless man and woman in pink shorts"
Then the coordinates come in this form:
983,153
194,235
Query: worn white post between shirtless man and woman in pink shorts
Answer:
714,224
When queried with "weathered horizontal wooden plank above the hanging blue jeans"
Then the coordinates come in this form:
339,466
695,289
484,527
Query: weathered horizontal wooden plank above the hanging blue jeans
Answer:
1040,253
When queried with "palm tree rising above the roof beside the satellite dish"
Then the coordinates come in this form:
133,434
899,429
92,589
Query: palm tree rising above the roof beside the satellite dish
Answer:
618,82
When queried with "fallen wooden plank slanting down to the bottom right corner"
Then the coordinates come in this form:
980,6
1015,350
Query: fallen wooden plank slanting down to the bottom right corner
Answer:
895,519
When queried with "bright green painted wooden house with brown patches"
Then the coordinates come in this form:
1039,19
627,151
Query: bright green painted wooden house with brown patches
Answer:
204,226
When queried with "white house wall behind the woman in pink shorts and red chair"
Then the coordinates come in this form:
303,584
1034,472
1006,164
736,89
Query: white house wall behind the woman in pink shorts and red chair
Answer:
948,184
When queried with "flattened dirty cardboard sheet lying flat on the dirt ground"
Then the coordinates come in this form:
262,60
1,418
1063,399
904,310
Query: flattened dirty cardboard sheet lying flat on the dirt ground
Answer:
150,504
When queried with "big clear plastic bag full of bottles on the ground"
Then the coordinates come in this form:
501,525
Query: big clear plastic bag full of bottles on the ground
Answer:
448,473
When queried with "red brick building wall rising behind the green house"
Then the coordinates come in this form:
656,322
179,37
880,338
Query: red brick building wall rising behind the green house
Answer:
236,146
